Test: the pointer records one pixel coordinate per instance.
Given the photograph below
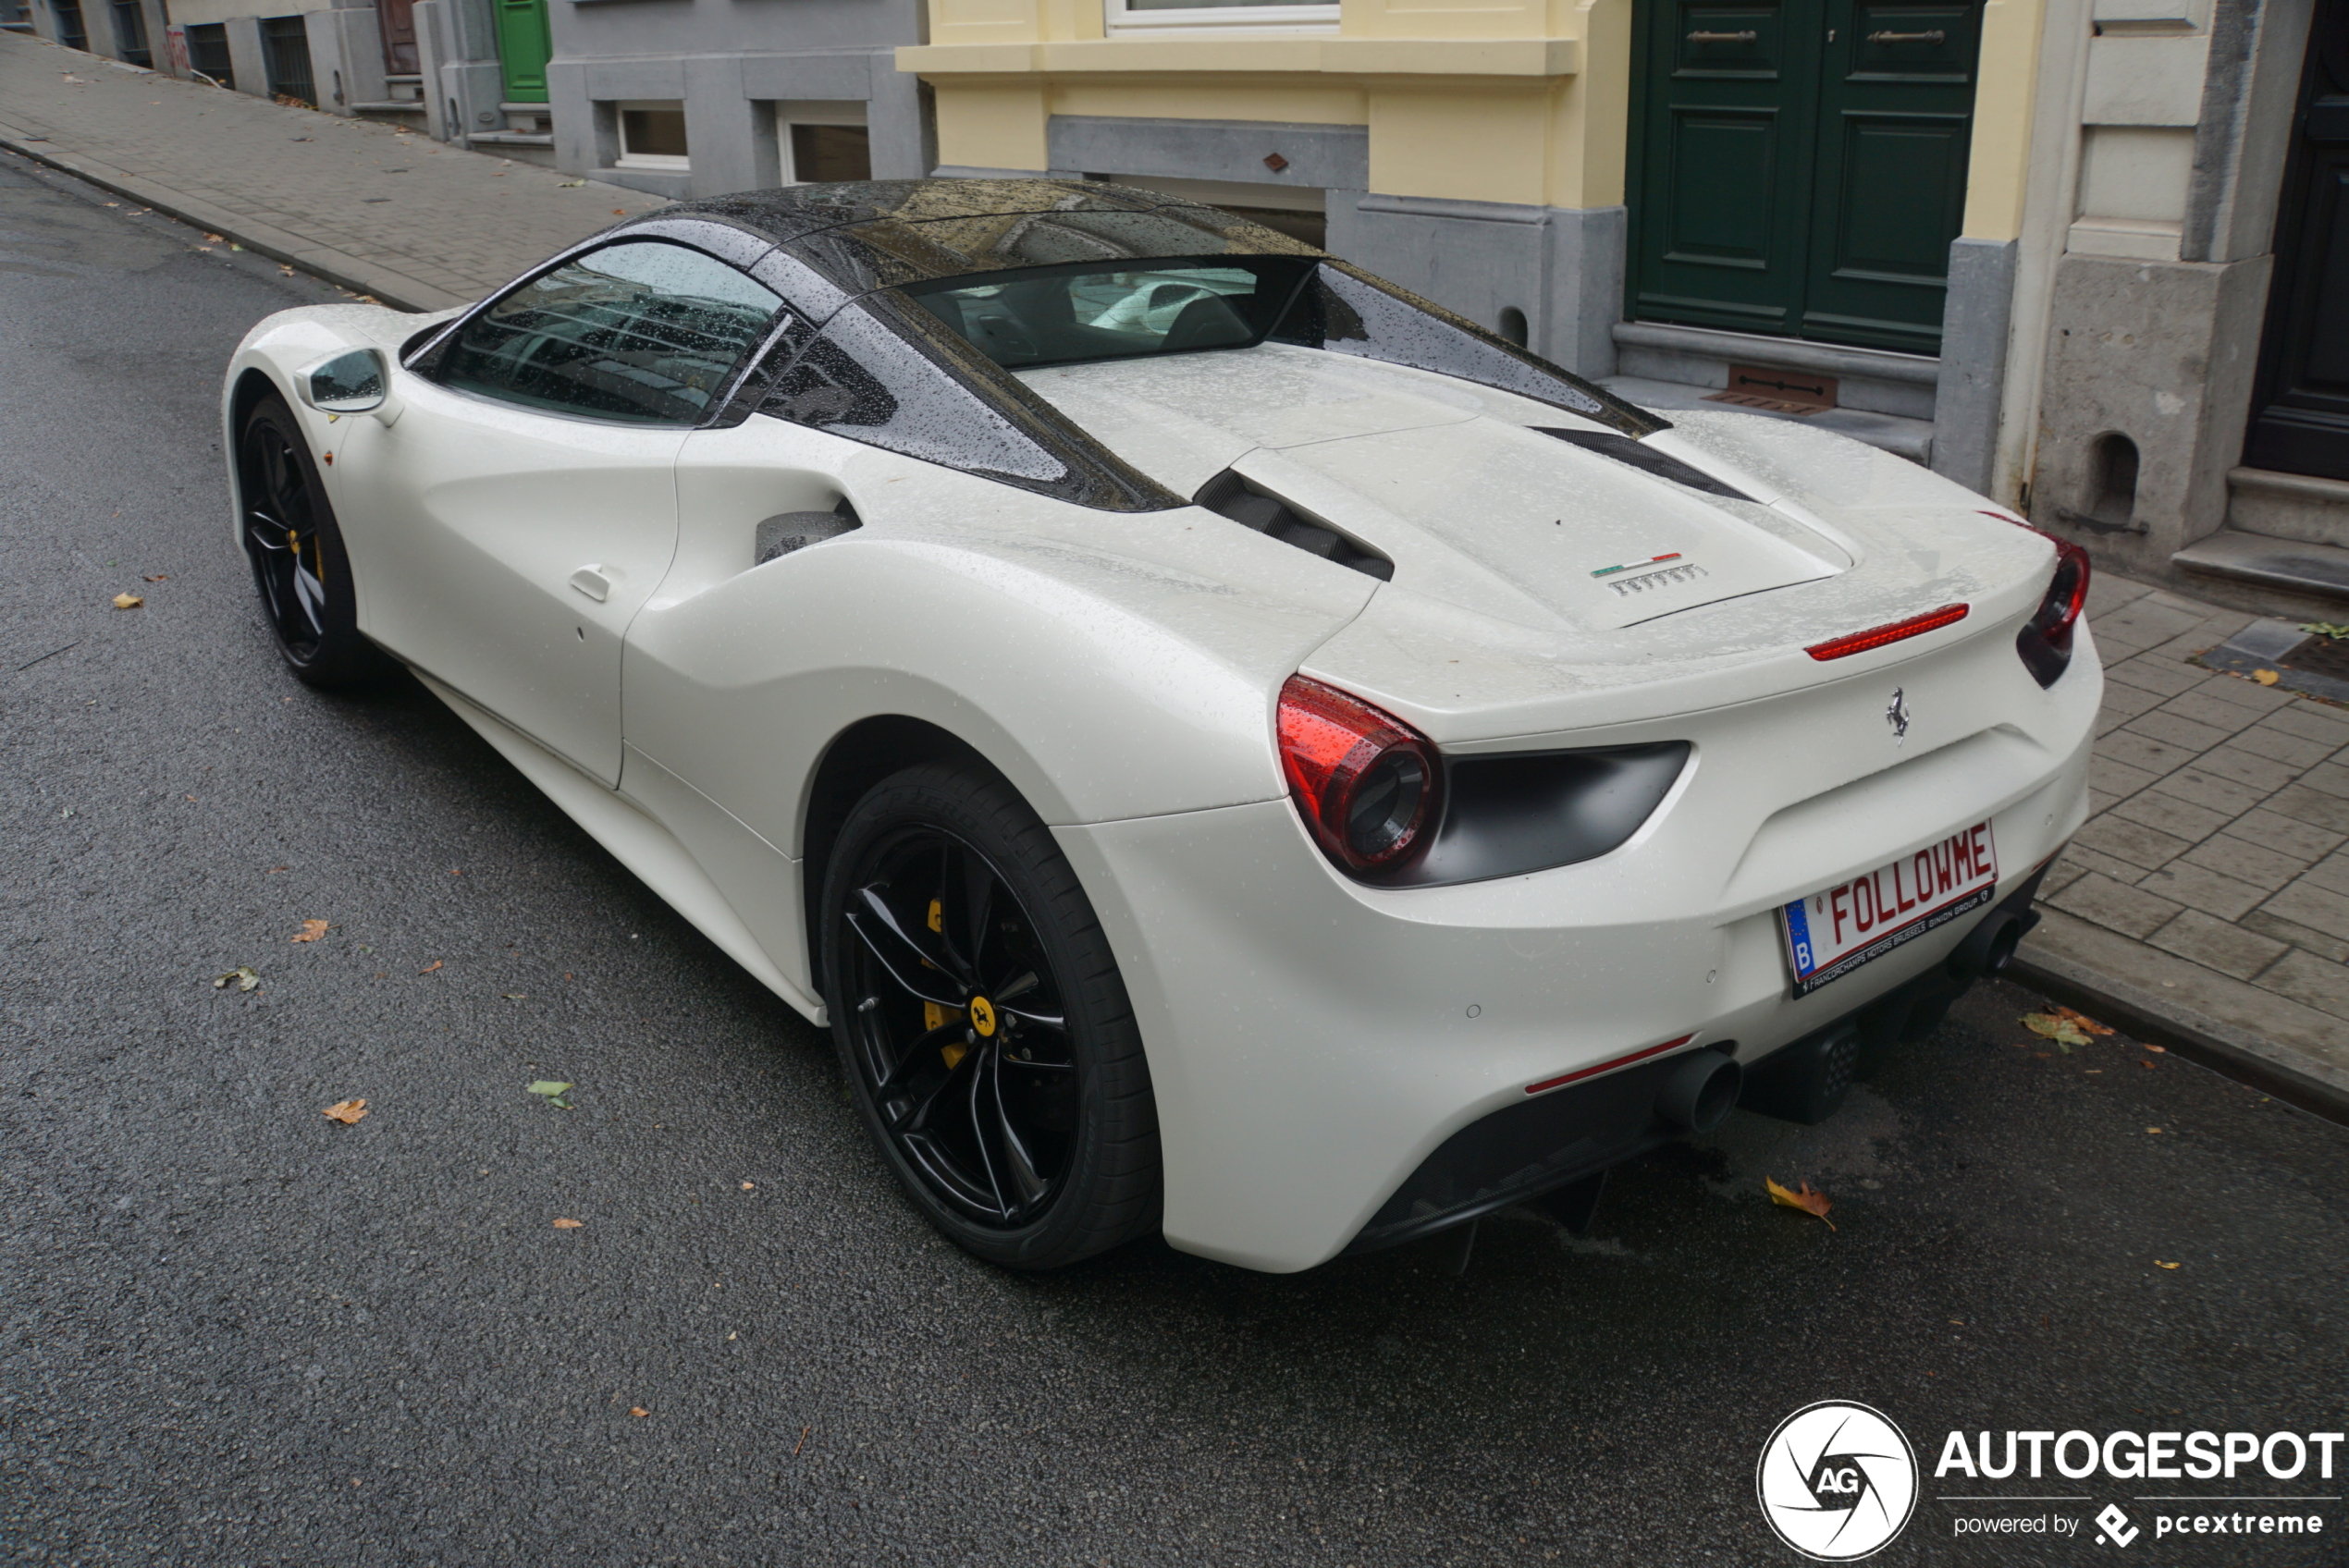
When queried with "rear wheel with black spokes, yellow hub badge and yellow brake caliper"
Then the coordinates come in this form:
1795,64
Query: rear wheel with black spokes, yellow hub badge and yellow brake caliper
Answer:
1009,1090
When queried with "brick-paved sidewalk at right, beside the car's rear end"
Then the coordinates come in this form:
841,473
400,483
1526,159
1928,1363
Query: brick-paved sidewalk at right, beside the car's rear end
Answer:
2209,888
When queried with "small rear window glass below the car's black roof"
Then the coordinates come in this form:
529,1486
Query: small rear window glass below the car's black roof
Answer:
1068,316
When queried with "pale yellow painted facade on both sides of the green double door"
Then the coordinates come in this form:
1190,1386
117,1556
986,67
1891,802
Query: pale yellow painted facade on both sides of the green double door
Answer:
1469,100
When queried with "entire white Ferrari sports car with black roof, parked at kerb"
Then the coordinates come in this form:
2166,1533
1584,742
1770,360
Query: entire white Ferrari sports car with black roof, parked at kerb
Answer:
1225,745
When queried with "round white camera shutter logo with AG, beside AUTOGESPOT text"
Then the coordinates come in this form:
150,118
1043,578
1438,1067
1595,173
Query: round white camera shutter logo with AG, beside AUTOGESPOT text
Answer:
1838,1480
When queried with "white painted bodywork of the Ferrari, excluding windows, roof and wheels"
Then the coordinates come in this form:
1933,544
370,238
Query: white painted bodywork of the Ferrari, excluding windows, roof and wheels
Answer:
1310,1036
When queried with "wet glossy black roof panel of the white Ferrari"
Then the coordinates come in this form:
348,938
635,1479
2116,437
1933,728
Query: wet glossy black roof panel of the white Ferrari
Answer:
887,234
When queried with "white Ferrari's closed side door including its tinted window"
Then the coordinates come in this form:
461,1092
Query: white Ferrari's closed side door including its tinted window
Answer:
523,506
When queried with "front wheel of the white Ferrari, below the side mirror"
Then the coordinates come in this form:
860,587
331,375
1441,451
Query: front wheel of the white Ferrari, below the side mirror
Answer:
297,553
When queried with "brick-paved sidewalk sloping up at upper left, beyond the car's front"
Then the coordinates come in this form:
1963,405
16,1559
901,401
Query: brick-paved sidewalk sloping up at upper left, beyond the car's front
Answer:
372,208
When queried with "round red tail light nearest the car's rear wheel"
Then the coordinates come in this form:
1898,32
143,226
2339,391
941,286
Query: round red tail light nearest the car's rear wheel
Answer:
1366,783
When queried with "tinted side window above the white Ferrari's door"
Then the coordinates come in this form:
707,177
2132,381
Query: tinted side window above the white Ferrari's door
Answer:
638,332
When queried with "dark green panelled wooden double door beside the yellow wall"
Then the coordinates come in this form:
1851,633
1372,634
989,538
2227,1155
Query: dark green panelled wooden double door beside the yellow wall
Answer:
1801,165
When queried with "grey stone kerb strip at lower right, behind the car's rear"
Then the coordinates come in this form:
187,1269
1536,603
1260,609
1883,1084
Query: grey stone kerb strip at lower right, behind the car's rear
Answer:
2275,1046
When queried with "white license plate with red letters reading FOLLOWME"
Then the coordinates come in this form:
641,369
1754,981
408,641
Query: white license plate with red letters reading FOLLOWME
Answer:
1843,928
